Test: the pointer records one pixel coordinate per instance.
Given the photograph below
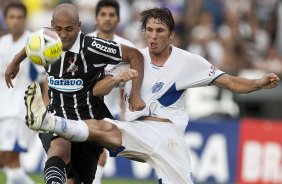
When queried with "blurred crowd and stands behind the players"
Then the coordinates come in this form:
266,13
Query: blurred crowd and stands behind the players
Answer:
240,37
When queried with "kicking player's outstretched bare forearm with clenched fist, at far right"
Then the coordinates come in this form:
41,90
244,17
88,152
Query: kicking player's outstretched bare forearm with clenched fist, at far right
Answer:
244,85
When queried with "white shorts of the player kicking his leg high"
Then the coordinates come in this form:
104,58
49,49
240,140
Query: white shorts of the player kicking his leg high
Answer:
161,145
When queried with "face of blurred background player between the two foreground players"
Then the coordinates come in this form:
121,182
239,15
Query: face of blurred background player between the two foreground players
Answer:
107,20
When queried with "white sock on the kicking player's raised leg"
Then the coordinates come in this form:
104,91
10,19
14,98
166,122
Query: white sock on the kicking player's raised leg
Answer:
73,130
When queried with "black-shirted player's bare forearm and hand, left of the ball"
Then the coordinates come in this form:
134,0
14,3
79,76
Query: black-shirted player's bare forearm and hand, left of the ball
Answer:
14,67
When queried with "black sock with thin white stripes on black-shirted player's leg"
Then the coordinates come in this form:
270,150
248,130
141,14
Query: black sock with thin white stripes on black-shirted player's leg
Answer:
55,171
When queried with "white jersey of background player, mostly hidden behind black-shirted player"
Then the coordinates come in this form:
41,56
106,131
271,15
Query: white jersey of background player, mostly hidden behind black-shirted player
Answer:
112,100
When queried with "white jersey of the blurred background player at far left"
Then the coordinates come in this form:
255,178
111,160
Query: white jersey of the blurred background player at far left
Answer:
12,100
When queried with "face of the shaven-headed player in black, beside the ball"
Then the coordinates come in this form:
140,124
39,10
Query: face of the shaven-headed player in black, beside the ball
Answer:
67,29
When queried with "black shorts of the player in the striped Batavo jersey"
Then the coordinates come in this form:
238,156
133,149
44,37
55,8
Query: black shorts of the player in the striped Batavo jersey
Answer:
84,158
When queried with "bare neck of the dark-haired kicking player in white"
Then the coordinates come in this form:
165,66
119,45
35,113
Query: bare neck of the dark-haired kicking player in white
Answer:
159,59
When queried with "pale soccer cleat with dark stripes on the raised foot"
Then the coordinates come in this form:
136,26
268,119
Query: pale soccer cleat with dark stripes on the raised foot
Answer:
36,110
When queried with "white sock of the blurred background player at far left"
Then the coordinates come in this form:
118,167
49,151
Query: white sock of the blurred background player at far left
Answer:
17,176
